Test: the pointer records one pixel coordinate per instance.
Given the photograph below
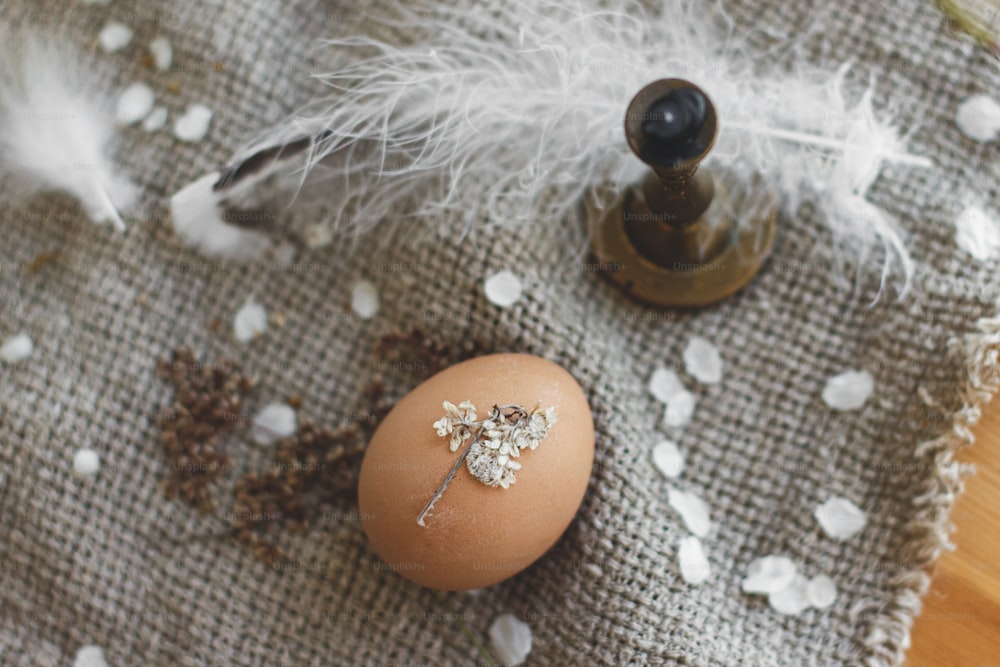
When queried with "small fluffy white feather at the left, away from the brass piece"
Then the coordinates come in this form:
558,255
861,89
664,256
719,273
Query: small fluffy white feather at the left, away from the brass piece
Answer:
55,129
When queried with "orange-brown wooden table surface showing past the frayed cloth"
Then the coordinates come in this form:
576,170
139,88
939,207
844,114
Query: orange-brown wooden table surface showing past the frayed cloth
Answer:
960,622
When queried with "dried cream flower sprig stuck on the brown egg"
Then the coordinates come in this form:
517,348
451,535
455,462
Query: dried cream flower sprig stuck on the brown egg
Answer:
491,445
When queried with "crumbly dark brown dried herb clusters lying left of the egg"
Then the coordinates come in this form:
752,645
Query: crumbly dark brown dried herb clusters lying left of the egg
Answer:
315,467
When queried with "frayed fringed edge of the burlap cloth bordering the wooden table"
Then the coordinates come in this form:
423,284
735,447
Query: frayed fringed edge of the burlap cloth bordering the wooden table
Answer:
889,637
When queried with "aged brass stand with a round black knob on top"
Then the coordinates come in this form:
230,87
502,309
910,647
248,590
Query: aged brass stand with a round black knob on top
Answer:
682,237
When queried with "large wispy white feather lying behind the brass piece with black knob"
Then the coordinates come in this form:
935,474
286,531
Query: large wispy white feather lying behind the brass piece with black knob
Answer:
518,112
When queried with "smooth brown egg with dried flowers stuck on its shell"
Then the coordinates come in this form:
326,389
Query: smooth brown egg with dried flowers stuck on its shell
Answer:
476,535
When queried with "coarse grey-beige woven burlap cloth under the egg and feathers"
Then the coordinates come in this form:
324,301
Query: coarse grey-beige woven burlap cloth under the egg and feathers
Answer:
112,562
